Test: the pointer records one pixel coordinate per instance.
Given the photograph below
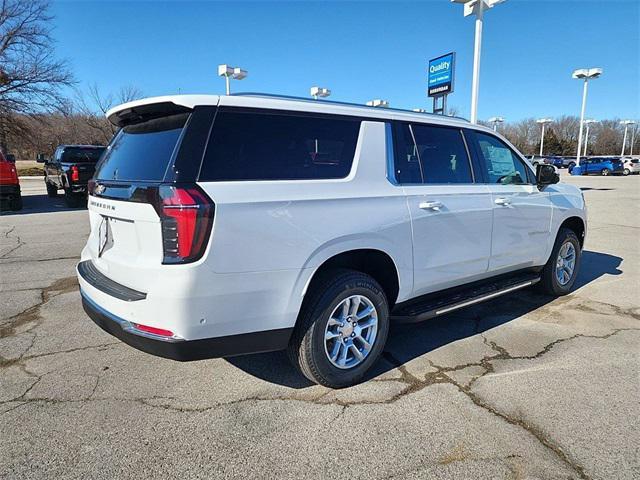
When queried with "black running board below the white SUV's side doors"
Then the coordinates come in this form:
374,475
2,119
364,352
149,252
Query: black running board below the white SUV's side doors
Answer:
433,305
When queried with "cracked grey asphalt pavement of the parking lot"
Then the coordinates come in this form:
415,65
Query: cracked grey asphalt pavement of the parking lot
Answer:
523,387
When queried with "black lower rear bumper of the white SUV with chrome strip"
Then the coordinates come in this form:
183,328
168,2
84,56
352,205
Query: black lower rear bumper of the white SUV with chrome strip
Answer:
186,350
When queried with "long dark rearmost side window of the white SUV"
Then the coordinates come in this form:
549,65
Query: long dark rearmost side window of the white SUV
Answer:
270,146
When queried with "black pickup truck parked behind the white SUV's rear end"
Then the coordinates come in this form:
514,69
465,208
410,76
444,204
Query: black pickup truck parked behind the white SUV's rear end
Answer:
70,169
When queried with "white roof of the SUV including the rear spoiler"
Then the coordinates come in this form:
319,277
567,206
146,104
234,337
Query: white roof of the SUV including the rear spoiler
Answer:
256,100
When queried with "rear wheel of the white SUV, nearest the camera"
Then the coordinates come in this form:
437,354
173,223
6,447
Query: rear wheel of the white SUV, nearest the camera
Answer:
342,329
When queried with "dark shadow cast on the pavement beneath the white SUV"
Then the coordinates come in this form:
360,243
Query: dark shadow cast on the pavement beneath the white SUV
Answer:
409,341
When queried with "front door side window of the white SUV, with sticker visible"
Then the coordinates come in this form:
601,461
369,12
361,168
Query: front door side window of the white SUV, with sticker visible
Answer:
503,166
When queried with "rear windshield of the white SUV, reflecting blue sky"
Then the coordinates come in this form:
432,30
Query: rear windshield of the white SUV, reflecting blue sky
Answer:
143,151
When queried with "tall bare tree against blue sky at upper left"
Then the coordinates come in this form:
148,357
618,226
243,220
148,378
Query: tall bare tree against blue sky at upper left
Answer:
31,78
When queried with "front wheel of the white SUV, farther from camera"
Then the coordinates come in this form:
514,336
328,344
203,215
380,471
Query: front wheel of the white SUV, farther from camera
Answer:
559,261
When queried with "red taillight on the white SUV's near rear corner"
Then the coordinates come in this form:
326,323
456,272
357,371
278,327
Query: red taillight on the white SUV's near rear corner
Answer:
186,216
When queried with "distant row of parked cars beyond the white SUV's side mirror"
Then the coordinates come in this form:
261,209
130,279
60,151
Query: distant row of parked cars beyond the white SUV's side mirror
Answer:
602,165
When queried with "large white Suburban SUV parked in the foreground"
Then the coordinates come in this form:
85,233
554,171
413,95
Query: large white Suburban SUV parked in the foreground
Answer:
226,225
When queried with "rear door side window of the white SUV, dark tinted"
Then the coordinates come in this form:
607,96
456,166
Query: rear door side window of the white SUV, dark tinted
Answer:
442,154
